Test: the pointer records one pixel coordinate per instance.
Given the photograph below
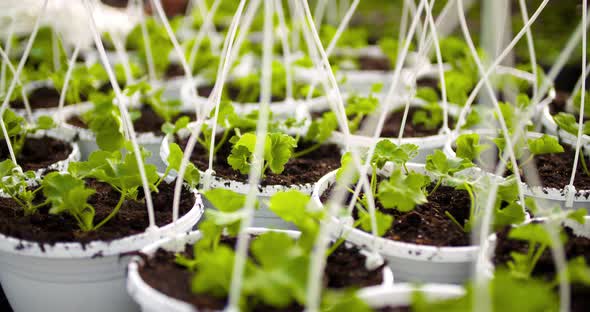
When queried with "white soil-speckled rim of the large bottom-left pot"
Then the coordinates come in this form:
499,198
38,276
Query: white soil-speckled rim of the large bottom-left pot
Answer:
101,248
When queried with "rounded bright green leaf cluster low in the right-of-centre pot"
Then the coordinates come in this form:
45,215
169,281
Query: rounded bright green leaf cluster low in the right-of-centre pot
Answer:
403,191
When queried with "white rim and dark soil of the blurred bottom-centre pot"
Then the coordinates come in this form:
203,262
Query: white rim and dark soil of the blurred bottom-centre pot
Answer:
158,283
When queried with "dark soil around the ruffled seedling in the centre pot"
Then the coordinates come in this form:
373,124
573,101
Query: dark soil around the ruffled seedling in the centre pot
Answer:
306,169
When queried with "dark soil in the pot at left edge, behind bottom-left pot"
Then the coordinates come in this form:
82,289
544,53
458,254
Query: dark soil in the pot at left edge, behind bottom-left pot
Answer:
38,153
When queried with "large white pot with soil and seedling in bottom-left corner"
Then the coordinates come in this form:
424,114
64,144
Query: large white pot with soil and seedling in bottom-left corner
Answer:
70,245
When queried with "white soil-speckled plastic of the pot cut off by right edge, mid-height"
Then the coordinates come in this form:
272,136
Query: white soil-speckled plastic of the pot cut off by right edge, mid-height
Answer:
548,195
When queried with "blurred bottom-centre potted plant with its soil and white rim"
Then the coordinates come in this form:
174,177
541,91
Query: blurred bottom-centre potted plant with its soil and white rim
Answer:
192,258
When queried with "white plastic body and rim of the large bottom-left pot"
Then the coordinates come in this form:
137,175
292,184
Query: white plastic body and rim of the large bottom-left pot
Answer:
70,277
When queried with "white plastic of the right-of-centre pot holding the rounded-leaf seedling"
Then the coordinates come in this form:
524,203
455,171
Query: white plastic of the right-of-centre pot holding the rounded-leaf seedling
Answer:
409,262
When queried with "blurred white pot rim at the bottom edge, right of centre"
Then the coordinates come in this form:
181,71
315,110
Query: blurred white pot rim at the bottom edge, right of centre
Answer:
401,294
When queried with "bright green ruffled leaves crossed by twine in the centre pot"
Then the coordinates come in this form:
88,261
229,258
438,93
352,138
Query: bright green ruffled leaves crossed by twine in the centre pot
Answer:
278,150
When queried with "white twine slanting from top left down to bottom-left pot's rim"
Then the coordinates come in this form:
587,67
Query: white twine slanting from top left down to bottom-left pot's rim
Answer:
127,124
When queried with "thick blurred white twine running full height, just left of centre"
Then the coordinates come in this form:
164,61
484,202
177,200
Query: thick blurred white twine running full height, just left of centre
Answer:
257,161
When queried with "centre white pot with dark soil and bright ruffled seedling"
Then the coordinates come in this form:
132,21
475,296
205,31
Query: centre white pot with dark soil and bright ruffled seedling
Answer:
305,160
